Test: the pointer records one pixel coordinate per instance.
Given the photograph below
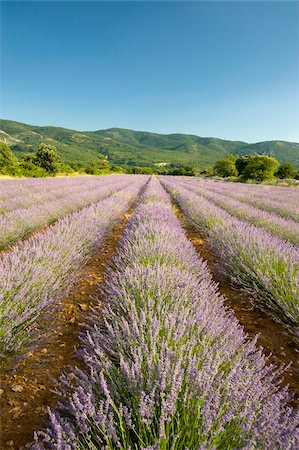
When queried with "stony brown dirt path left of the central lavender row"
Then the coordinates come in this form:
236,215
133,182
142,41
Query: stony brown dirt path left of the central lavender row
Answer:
25,389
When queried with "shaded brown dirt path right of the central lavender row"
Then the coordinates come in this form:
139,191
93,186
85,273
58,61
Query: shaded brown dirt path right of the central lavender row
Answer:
274,337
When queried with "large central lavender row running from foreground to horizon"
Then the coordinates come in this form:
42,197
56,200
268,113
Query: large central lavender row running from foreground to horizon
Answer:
167,365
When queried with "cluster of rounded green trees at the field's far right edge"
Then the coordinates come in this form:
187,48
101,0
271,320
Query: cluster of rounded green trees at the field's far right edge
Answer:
254,167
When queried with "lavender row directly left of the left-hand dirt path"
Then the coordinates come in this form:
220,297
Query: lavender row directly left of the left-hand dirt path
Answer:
37,273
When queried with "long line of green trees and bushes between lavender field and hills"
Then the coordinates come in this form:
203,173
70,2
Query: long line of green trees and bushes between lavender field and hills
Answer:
46,162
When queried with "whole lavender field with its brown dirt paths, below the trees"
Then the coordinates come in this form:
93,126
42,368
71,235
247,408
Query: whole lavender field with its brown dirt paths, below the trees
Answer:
148,355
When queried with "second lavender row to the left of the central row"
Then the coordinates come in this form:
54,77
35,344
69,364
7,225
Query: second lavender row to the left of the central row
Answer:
51,206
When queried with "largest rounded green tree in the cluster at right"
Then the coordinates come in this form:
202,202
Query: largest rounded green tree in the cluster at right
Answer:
260,168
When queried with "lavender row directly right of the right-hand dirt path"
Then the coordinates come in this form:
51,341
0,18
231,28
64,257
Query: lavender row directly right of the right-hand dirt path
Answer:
254,259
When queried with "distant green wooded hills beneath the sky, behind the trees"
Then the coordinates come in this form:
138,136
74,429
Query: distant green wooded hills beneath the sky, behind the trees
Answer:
137,148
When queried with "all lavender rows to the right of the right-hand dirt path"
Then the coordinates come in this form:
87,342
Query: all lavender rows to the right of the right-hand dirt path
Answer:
258,249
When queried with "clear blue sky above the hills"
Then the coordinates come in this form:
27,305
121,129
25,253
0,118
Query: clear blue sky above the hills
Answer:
225,69
